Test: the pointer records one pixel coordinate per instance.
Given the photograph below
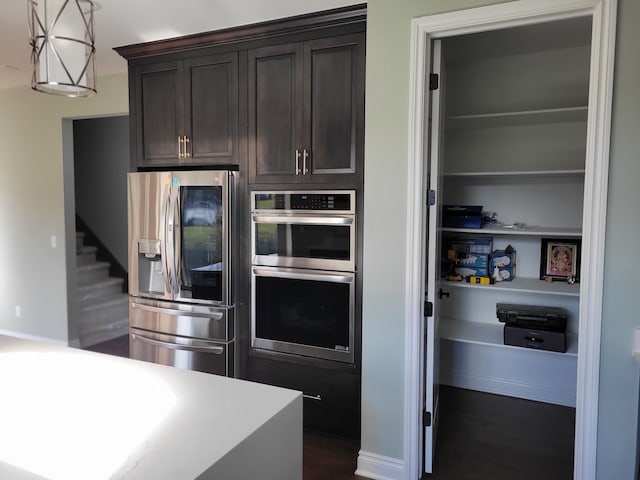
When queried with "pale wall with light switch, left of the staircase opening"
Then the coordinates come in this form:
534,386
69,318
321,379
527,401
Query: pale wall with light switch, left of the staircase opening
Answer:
32,204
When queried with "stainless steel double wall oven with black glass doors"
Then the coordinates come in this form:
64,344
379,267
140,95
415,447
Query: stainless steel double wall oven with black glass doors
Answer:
303,250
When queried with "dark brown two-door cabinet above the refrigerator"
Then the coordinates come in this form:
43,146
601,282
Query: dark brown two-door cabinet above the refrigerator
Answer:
186,111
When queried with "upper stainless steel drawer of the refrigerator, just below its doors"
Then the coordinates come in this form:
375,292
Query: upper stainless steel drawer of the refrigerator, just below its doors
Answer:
185,320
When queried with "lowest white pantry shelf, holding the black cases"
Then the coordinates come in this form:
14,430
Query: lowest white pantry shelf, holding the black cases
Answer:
492,334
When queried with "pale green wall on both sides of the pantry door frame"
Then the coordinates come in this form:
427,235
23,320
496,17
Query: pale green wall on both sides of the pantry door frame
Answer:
387,113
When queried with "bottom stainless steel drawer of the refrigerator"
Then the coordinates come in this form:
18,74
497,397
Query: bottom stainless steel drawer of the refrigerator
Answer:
182,352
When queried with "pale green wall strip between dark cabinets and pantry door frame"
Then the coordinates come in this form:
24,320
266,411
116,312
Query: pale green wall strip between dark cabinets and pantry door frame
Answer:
385,225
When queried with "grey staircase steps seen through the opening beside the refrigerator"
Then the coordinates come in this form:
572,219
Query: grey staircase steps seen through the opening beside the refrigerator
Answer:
102,307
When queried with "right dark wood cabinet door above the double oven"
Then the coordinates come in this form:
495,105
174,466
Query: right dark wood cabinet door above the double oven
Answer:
334,109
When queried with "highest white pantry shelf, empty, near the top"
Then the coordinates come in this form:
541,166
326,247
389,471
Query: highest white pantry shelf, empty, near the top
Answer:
522,117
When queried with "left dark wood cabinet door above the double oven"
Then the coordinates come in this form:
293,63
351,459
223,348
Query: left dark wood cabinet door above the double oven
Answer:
275,113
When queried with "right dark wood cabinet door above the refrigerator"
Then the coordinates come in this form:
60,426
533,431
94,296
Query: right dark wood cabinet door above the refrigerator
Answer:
211,109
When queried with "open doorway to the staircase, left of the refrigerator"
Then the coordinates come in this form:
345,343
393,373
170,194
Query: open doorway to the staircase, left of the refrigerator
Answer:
98,219
